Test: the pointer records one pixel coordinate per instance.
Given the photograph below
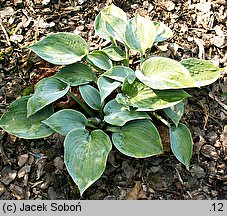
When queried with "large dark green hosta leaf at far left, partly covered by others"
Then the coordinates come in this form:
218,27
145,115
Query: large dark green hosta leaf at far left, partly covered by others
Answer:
15,120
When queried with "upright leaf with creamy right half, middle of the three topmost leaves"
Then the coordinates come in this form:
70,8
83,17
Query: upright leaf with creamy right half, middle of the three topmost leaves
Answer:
140,34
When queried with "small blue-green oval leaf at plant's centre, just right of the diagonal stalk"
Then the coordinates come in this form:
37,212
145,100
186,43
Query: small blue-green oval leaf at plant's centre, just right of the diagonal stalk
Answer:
91,96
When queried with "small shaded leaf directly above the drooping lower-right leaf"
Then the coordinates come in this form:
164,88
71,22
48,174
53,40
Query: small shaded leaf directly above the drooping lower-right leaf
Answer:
175,112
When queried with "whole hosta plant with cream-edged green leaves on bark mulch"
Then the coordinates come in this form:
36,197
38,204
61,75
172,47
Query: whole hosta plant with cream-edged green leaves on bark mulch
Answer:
118,105
